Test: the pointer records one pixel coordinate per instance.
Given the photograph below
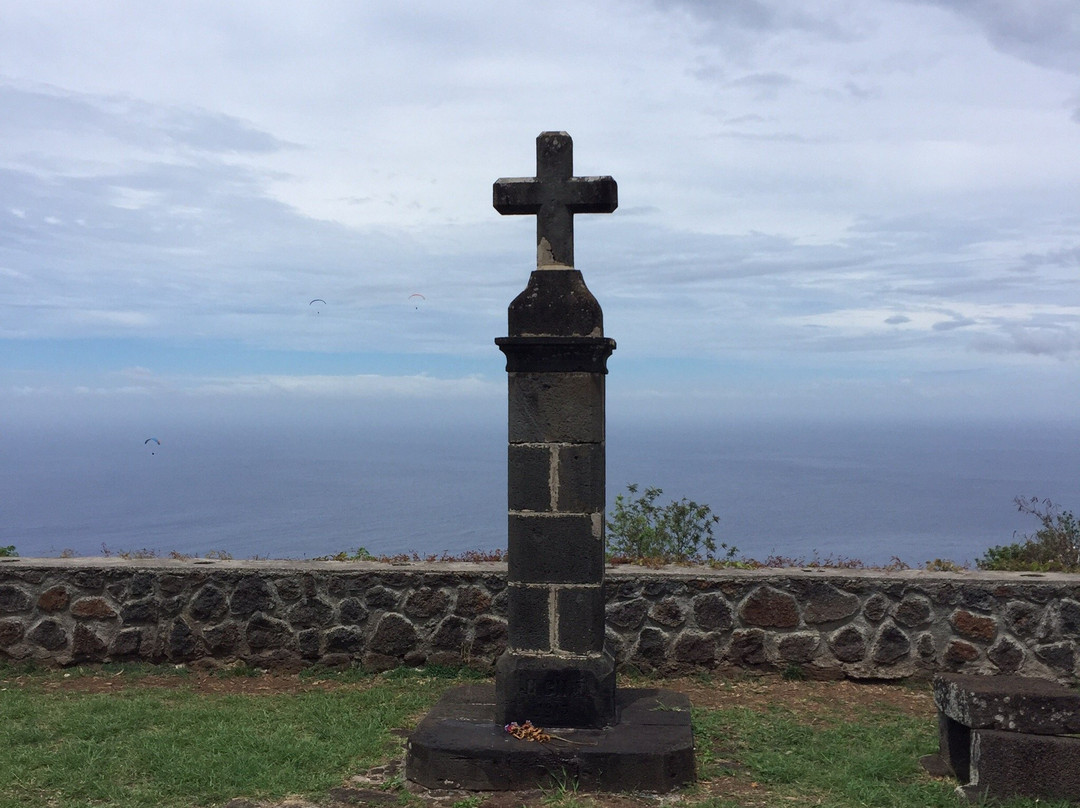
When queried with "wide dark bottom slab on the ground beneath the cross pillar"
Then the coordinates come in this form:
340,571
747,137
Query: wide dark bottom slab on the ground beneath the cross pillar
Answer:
460,745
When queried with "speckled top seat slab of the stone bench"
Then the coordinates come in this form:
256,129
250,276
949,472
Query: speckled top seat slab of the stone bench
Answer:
1016,704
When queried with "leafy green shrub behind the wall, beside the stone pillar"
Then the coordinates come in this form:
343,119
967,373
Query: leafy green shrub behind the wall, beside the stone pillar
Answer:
640,530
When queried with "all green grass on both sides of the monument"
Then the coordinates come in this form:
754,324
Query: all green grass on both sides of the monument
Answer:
142,746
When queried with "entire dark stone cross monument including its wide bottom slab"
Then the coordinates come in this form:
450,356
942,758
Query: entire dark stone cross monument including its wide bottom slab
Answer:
557,674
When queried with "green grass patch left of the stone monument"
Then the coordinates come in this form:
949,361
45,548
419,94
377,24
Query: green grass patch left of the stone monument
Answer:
174,747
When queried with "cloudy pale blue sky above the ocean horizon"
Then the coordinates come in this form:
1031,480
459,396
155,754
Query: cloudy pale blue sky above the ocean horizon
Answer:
859,209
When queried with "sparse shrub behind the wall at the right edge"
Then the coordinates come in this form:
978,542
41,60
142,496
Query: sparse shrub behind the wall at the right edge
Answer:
1056,547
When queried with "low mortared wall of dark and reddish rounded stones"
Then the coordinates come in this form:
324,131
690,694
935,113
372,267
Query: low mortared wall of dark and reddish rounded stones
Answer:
286,615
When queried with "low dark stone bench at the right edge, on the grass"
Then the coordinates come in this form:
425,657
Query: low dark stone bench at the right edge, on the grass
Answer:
1008,736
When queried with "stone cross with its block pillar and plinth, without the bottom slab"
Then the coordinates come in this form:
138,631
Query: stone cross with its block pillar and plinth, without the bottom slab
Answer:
557,670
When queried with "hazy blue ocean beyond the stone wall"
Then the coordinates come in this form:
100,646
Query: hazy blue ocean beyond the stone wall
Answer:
303,490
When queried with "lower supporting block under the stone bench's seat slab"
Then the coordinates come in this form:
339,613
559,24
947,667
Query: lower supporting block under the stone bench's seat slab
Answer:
1006,765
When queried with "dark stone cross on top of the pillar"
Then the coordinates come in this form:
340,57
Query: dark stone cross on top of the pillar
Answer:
555,195
